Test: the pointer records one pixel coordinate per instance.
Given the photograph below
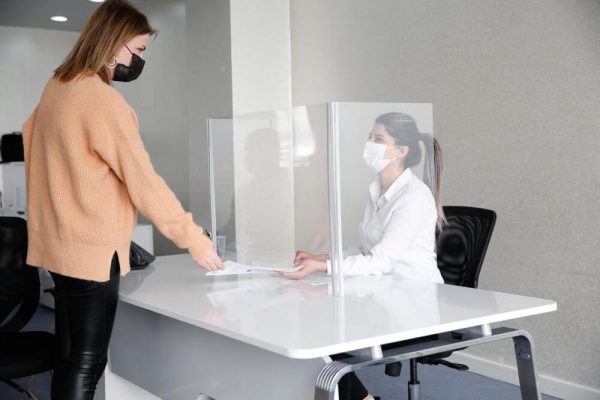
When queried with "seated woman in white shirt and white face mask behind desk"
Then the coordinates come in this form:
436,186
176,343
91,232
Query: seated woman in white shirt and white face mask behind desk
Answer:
397,234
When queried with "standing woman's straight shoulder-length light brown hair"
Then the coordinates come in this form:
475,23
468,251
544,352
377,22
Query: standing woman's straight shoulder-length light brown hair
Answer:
113,24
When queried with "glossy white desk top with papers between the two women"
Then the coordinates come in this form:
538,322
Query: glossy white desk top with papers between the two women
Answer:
300,319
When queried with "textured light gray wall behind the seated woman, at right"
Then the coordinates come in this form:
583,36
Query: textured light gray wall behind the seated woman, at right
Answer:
514,86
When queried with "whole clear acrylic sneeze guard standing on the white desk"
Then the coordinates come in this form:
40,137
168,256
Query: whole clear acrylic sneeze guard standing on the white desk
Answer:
288,180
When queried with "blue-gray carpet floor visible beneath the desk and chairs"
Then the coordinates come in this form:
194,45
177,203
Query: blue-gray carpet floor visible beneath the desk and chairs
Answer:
437,382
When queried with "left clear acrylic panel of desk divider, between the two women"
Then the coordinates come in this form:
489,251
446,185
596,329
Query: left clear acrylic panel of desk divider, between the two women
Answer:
268,179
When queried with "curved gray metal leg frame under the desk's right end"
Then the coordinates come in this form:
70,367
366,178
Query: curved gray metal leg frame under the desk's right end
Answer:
331,374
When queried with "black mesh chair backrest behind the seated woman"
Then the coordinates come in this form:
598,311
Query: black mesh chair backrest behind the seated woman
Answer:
462,244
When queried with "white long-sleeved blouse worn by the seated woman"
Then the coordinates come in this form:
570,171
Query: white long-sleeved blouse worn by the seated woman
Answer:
398,232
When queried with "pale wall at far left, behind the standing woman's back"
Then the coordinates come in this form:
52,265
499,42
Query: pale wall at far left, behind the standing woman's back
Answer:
29,57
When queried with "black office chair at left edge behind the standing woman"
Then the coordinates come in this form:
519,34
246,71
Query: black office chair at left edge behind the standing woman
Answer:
21,353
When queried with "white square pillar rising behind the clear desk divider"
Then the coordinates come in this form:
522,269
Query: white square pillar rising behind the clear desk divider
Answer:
263,167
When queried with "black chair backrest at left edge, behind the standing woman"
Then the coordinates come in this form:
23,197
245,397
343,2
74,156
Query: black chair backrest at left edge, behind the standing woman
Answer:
19,283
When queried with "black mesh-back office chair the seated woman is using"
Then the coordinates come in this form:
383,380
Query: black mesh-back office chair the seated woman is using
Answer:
461,247
